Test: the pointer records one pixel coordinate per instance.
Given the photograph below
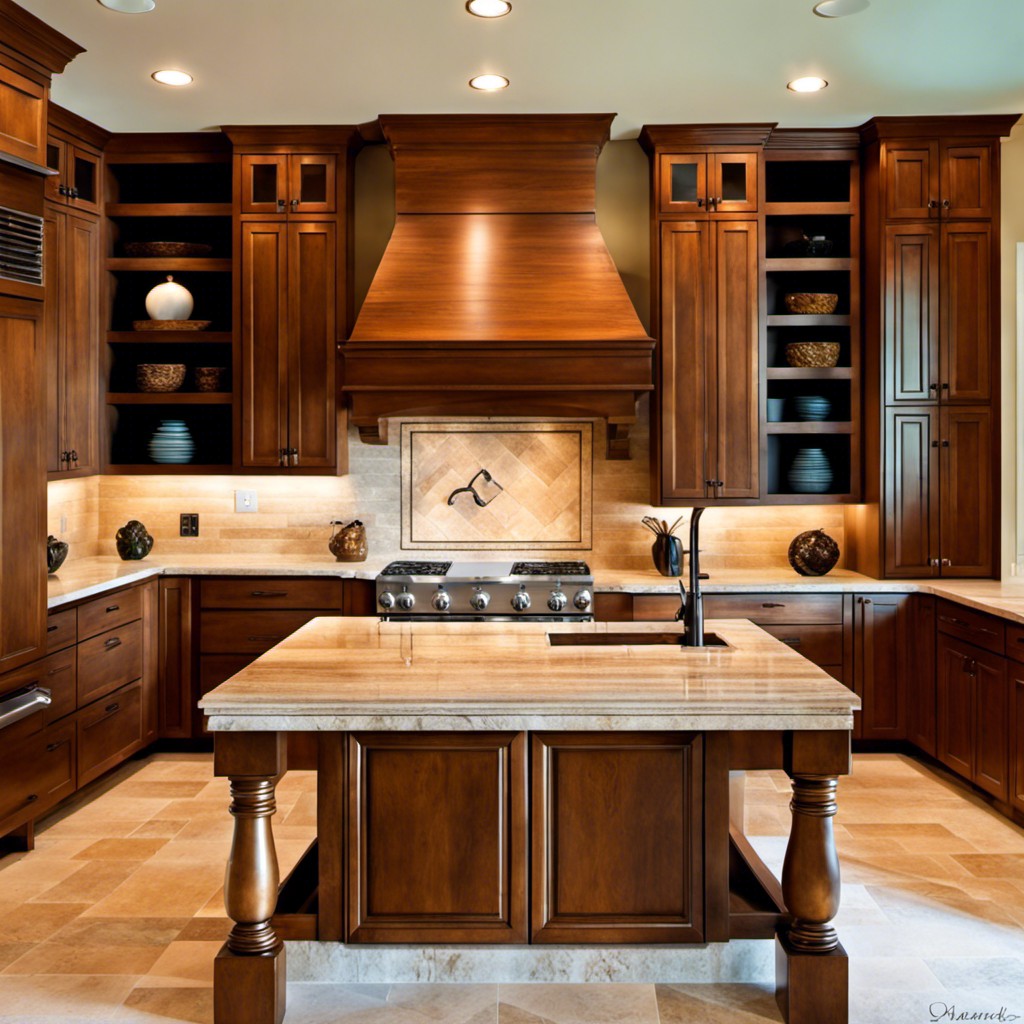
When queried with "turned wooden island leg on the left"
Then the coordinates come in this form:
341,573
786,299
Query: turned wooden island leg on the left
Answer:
249,973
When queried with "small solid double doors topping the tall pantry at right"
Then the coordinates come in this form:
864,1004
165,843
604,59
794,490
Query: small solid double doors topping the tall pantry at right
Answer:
933,179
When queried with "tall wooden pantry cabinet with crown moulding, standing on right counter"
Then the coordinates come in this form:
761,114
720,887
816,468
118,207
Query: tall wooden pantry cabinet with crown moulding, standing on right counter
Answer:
932,348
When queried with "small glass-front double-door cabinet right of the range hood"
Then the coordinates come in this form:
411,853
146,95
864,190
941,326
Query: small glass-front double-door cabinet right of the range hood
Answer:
703,184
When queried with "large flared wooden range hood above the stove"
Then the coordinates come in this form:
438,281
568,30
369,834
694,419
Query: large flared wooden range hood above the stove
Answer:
497,295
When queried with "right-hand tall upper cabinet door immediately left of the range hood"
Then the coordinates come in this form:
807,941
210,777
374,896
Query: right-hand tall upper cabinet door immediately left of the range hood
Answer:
313,343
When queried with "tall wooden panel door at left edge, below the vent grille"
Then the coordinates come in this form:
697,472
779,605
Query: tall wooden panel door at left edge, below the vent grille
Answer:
23,483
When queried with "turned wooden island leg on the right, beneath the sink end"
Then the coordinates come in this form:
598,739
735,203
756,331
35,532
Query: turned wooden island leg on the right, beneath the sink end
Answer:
812,966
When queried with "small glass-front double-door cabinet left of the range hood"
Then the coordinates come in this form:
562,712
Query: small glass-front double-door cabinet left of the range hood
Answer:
288,184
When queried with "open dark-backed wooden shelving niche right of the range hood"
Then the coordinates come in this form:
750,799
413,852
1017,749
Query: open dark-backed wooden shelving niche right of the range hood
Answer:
813,191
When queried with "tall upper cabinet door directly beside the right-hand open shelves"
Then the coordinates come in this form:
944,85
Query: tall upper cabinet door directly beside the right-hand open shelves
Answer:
734,377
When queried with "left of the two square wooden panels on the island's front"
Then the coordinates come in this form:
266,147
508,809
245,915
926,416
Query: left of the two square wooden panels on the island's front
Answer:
437,832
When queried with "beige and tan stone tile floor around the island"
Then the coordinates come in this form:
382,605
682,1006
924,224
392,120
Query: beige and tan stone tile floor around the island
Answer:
117,915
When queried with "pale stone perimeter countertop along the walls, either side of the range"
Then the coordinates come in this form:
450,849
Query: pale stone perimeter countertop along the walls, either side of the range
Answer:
84,578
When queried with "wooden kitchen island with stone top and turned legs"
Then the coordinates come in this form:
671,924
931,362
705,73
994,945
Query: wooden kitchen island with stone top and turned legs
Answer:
514,784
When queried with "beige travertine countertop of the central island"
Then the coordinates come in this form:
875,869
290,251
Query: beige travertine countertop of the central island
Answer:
342,674
